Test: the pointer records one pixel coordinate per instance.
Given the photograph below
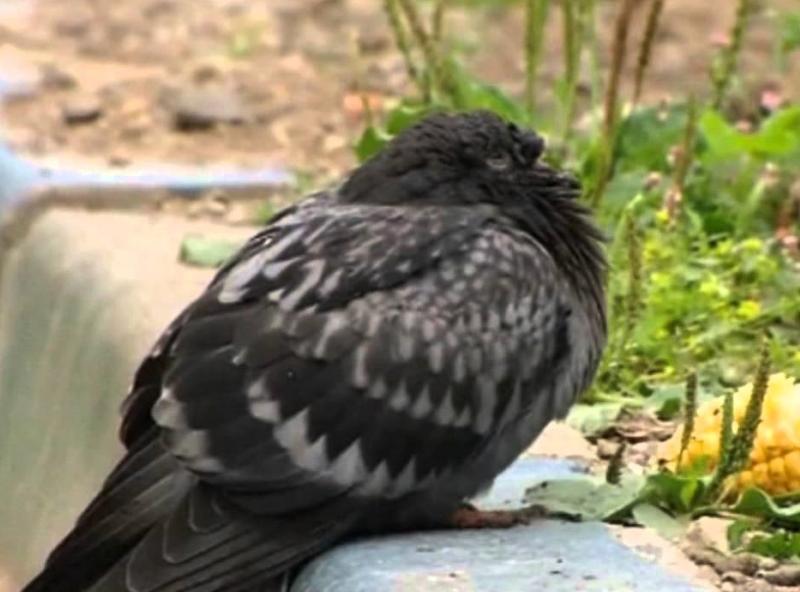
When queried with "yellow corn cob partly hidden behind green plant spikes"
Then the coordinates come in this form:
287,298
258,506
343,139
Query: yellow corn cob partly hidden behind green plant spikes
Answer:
774,463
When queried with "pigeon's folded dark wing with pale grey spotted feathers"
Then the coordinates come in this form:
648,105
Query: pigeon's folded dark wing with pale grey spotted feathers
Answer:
412,363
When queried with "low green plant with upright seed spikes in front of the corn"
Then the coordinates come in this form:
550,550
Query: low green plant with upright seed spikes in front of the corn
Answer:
667,501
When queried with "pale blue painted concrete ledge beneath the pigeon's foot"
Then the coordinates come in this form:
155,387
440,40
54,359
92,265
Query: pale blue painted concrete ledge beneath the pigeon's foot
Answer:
546,555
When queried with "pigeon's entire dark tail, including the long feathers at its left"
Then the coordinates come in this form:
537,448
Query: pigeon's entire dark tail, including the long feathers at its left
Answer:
155,528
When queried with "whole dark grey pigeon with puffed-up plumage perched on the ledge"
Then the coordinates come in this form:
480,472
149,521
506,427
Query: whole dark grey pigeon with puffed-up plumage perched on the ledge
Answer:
367,362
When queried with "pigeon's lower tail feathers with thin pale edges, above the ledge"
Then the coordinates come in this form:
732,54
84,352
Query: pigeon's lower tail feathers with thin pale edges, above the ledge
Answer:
238,552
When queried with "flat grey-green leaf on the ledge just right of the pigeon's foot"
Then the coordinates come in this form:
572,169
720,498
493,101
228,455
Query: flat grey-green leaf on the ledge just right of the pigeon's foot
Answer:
586,497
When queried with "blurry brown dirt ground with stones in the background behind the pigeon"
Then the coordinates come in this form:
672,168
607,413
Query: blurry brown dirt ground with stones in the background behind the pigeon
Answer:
114,81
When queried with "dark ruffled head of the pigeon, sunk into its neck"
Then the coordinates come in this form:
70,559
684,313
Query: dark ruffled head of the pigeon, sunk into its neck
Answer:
459,159
